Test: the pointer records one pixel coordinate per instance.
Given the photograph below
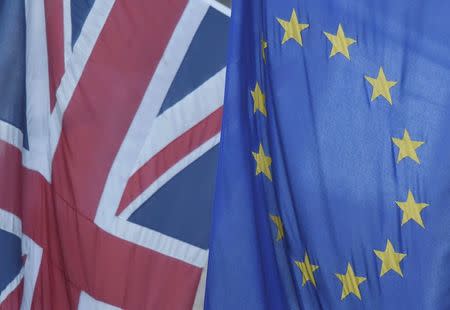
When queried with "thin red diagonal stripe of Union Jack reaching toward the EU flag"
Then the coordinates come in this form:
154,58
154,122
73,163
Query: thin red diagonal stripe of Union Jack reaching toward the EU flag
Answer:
170,155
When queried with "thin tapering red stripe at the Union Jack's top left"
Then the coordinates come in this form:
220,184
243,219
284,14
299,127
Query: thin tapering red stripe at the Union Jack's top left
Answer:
54,21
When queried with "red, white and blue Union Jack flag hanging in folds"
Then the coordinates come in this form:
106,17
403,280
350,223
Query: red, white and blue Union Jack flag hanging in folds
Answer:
109,123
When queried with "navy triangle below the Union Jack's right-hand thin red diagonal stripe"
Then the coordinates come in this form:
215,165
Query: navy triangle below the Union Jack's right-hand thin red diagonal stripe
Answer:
194,187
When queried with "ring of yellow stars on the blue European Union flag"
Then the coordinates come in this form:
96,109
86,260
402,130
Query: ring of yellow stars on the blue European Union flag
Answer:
407,148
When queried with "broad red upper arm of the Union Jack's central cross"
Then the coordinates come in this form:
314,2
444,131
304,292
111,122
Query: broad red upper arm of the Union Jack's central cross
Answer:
106,99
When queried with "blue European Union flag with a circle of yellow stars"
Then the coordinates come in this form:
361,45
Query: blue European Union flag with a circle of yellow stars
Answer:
333,187
